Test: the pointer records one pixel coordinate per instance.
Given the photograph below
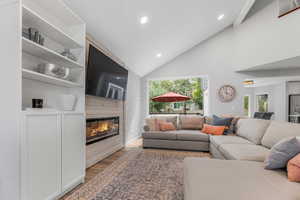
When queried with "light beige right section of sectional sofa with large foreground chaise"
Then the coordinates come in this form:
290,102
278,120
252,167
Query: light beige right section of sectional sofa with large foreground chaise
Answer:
241,174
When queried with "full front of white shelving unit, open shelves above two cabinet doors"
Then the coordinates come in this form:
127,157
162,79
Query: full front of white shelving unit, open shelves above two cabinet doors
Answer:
52,140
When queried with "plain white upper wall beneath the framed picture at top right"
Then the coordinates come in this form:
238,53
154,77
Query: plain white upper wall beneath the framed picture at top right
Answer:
265,38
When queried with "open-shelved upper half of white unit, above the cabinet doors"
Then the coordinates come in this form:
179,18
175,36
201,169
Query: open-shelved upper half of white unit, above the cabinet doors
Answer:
62,29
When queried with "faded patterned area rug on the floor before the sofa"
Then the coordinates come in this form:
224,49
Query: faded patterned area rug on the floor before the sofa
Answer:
139,175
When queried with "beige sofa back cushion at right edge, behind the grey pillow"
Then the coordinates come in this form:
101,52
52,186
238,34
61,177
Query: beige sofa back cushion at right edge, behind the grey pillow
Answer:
278,131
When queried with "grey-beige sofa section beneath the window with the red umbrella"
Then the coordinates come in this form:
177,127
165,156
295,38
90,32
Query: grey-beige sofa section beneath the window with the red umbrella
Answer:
187,135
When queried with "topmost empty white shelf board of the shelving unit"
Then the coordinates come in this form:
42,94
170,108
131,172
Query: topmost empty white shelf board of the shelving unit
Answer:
34,20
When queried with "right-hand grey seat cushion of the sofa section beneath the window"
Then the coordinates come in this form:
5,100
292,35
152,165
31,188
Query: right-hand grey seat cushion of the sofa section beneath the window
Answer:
192,135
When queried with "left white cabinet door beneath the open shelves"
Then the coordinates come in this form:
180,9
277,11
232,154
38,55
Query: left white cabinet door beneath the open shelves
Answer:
41,161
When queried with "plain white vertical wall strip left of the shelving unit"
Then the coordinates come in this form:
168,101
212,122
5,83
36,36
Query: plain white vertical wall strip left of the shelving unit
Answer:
10,106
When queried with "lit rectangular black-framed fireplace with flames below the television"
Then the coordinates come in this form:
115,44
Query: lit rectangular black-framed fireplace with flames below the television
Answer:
100,129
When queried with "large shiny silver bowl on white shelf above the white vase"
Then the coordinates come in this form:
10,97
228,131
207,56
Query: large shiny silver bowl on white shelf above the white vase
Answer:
54,70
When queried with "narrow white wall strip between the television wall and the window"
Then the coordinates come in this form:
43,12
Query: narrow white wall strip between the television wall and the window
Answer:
133,108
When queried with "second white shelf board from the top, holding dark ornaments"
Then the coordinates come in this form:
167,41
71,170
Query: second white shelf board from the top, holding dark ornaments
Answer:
49,55
